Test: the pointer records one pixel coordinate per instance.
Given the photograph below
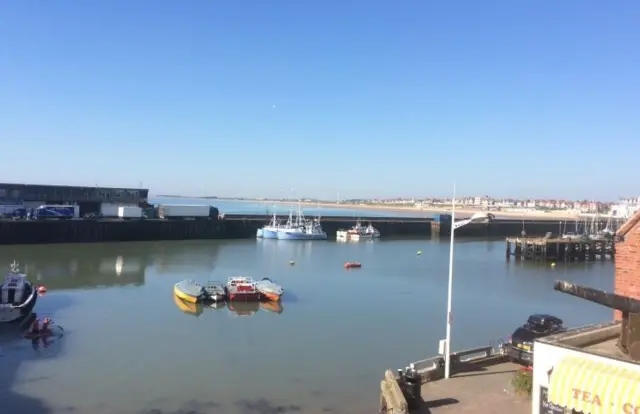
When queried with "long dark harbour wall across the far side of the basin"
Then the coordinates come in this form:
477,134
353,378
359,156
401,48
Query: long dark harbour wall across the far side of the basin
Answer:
243,227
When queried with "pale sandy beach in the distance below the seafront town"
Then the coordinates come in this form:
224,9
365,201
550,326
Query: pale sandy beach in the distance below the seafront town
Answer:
463,211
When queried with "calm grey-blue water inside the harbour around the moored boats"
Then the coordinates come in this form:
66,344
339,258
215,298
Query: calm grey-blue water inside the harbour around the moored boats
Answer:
129,349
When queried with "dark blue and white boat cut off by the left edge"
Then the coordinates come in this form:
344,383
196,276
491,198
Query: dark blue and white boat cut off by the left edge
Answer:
18,296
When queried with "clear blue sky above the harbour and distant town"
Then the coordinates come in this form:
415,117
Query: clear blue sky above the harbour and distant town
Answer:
368,97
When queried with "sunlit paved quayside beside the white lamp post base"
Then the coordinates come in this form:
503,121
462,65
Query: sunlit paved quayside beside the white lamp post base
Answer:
484,391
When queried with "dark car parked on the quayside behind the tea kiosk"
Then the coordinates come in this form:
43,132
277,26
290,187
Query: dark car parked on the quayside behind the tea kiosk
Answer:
520,347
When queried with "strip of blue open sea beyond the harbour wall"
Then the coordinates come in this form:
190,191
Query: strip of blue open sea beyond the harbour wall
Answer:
246,207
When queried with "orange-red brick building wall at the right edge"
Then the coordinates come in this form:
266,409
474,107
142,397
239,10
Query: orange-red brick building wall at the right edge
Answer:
627,260
